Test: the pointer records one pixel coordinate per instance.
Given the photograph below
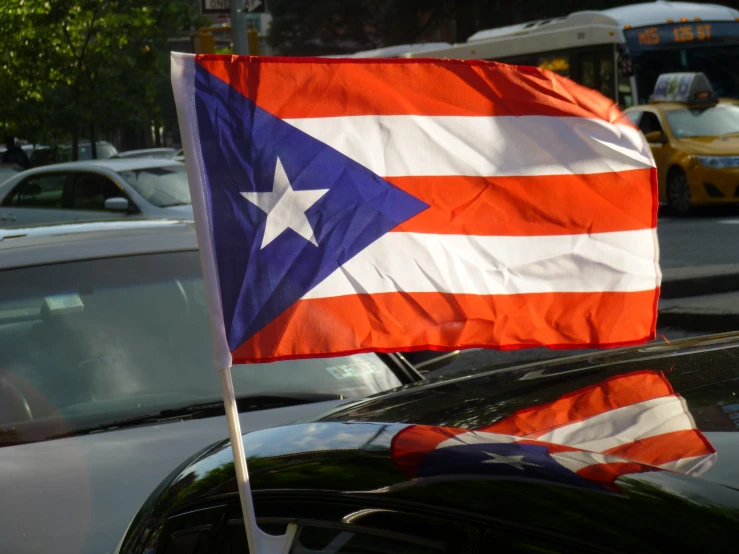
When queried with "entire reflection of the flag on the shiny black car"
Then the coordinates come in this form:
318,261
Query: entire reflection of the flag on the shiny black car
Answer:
627,424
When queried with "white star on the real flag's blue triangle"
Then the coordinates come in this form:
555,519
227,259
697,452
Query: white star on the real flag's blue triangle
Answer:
285,207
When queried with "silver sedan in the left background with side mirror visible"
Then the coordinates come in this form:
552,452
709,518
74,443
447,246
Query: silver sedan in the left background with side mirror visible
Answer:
97,189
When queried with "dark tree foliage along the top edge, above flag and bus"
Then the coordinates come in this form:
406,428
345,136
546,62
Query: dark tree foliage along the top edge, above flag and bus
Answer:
320,27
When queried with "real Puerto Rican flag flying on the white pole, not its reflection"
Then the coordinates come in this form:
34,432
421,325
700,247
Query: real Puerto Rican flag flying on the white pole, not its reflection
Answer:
346,206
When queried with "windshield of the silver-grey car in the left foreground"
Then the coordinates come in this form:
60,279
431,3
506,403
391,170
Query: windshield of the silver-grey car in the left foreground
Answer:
111,338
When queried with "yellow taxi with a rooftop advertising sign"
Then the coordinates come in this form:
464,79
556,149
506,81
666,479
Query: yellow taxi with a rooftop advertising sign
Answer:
694,137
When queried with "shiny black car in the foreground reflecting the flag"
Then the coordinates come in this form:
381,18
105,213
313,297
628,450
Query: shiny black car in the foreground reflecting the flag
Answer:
634,450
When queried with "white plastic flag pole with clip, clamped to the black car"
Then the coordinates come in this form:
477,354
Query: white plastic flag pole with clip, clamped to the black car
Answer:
183,79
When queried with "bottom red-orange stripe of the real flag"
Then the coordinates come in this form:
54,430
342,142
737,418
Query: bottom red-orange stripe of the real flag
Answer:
392,322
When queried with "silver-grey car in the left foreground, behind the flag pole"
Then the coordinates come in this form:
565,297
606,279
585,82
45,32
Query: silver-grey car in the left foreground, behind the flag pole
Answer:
107,382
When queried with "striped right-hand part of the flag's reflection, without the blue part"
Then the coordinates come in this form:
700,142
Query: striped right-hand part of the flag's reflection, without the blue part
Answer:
636,416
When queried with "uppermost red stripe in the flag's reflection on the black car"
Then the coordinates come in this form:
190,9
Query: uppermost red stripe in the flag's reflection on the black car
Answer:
613,393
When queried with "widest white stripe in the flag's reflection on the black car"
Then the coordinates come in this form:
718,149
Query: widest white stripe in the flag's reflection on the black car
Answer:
623,425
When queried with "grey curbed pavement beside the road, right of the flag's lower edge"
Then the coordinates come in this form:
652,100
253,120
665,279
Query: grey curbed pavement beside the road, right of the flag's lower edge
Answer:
704,298
